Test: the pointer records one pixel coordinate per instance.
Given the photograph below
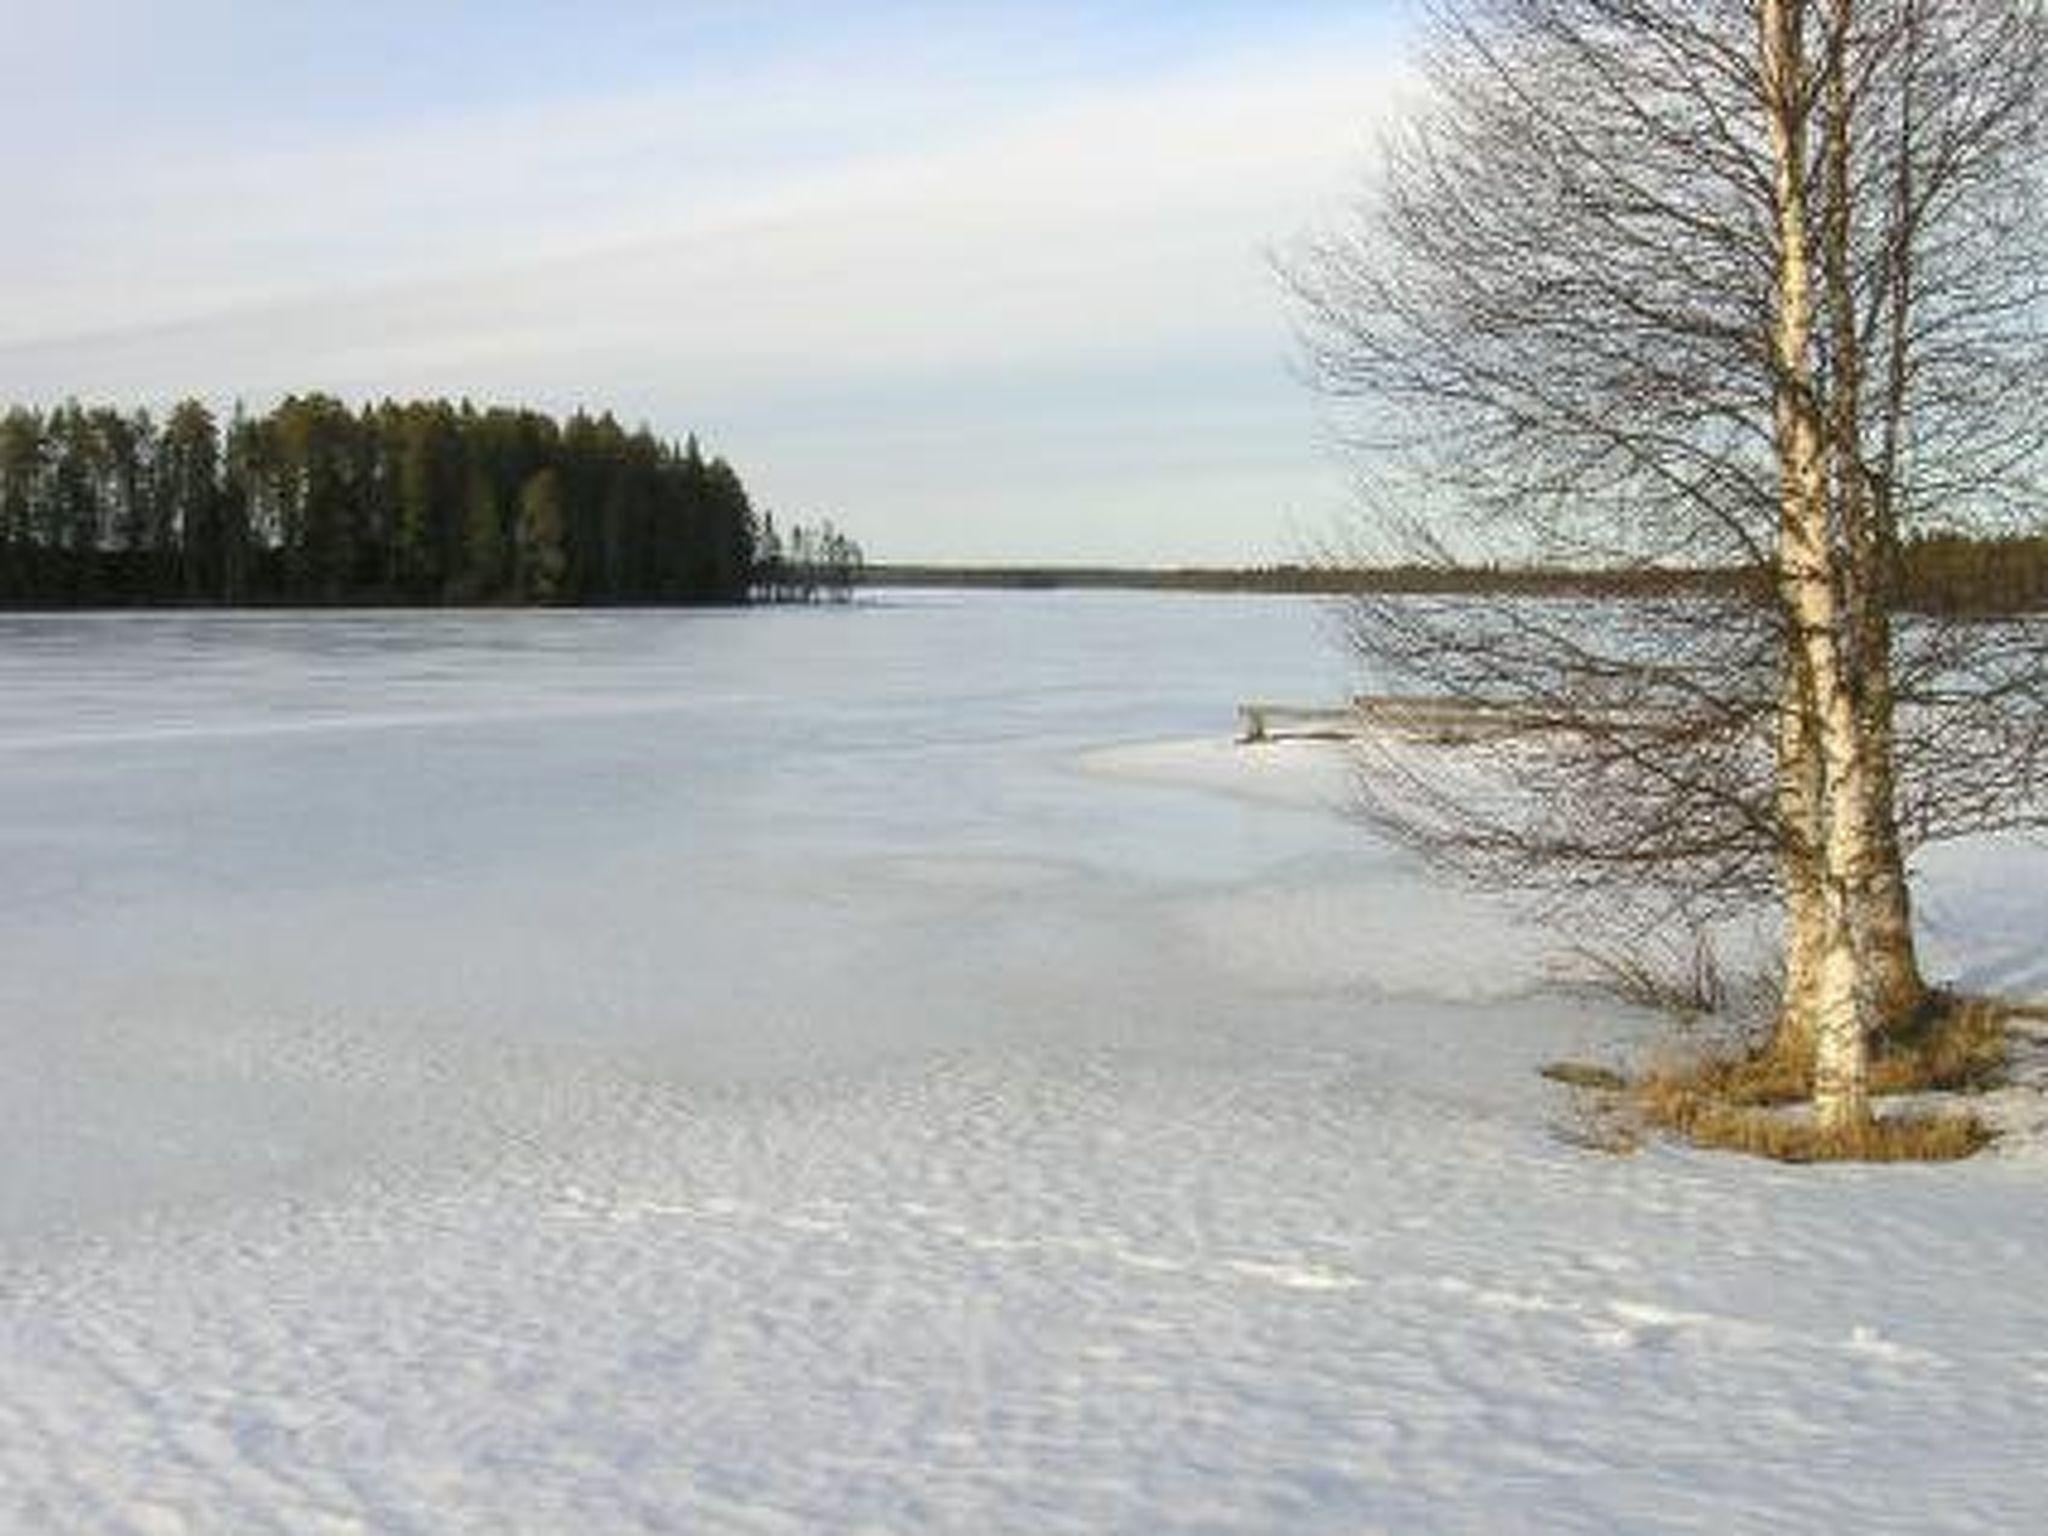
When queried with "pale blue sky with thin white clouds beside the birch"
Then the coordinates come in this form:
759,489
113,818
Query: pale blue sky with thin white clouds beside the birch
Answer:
978,282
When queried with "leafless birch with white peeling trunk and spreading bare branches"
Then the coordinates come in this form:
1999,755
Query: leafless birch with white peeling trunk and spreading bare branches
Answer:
1748,292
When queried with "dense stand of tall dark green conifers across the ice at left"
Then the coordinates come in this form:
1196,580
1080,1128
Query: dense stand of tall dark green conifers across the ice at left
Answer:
394,503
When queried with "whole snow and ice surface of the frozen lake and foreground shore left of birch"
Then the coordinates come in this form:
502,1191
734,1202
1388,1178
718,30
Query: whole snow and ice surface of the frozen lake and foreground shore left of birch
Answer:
884,1070
